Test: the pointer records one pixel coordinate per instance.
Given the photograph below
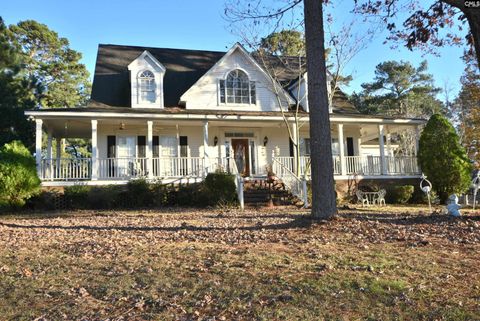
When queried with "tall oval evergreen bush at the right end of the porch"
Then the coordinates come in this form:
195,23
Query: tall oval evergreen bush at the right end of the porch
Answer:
443,159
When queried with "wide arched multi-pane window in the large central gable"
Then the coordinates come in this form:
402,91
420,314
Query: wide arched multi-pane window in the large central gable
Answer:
237,89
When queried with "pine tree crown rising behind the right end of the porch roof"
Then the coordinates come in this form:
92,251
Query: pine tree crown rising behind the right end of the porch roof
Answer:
399,89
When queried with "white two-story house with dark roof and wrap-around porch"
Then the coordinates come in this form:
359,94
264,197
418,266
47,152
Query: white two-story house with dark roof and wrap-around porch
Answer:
173,113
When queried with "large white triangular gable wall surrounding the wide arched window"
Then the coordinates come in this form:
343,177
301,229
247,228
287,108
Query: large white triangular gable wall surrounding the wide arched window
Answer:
204,94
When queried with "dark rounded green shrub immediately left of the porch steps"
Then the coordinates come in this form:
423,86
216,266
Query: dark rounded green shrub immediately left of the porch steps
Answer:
220,187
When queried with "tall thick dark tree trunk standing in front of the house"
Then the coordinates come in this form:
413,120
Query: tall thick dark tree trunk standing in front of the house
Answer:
323,187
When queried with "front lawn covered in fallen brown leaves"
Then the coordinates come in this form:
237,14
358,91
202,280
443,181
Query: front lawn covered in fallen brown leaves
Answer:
367,264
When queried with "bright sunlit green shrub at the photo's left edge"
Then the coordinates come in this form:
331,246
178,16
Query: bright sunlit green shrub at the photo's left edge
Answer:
18,175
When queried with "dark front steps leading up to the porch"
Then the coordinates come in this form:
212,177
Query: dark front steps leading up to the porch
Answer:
259,192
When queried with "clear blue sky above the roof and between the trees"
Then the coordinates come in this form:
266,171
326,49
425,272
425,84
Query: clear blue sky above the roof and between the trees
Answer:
196,24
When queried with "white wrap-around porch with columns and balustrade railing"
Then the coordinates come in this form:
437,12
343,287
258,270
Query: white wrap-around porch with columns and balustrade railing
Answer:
168,149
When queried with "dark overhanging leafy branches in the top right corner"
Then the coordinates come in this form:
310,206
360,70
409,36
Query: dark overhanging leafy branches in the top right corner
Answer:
428,24
